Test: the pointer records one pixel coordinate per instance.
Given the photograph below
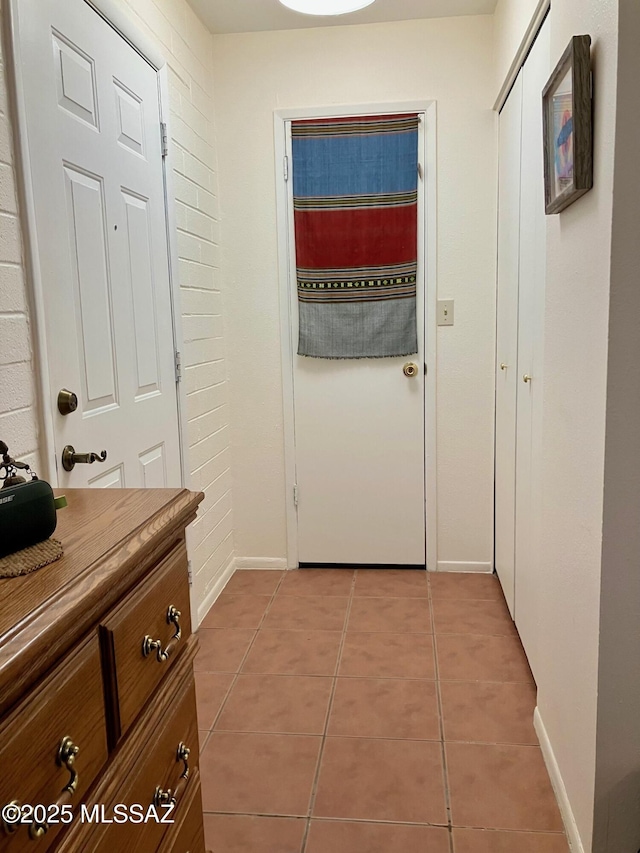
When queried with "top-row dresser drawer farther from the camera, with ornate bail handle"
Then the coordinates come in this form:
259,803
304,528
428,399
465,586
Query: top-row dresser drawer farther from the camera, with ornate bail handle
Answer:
142,638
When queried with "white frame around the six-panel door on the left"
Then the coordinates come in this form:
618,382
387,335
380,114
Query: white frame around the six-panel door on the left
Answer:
119,21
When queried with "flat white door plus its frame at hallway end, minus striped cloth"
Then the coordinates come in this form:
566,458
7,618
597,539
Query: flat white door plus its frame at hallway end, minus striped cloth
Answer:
360,444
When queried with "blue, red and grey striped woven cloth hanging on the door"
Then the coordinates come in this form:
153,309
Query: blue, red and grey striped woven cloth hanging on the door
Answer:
355,183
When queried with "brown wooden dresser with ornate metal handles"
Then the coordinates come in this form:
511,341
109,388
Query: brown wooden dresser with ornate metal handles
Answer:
97,697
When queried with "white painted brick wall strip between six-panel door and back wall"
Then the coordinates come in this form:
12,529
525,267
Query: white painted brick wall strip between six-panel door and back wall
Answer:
186,44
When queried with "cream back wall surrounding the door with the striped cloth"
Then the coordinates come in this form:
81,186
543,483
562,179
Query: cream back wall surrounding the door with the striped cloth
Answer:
449,60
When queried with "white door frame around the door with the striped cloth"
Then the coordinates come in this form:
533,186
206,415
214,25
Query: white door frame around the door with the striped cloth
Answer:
427,245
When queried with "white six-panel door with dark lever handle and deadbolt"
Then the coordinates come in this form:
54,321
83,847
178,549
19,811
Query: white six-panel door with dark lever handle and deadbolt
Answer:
95,160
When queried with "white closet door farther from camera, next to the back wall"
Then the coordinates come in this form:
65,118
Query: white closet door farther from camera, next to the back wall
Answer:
507,337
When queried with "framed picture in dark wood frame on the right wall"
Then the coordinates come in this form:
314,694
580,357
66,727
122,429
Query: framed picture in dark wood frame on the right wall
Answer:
568,135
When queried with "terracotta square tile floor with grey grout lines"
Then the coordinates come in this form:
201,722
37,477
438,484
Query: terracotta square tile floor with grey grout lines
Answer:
369,712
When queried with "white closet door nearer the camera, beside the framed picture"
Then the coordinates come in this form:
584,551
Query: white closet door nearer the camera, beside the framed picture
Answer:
530,340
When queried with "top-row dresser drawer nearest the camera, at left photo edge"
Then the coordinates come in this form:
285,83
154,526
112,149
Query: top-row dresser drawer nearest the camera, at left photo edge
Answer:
53,747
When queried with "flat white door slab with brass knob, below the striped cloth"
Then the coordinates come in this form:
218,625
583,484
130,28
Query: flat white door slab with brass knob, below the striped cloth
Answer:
360,449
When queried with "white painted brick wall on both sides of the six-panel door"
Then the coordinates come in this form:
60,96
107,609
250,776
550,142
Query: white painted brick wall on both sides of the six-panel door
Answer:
186,45
